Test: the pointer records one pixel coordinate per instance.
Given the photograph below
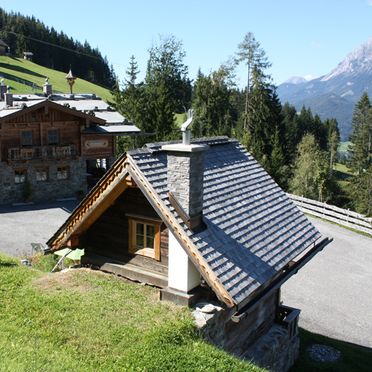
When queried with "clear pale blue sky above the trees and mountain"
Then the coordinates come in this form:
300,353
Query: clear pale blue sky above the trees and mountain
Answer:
301,38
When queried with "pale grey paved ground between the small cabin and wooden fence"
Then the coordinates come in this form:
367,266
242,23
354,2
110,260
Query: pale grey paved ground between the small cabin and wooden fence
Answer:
334,290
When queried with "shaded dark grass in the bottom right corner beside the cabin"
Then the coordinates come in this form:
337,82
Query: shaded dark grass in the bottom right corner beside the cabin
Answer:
354,358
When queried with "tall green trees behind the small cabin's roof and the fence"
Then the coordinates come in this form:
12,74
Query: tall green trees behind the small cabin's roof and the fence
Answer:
298,149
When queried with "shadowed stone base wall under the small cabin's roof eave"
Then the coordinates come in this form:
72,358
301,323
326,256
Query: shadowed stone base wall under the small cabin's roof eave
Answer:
256,337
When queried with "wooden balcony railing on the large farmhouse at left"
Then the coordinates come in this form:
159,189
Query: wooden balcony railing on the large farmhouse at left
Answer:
41,152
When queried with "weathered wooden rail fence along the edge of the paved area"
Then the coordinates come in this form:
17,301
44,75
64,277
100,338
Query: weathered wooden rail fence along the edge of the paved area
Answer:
335,214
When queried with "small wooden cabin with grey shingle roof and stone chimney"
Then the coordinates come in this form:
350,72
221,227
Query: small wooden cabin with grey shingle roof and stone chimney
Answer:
195,219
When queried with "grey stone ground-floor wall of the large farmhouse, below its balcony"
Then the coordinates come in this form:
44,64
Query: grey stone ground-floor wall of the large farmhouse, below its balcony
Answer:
36,191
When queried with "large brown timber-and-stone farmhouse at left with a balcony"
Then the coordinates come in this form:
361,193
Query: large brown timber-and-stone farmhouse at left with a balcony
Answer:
52,145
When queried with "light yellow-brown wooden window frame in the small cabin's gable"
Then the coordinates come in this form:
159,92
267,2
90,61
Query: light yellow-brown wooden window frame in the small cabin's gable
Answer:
146,251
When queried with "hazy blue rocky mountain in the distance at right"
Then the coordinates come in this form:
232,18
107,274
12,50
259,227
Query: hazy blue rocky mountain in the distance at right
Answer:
334,94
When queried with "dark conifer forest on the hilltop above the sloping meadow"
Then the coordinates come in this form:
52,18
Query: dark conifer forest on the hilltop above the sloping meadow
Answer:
54,49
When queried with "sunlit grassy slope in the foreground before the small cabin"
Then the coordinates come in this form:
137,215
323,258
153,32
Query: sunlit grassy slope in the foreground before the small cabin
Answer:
88,321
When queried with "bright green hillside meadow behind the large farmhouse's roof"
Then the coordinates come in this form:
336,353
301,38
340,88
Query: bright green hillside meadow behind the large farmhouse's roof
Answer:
19,74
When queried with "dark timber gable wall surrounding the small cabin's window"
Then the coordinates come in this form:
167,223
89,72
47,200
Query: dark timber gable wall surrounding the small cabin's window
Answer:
109,235
